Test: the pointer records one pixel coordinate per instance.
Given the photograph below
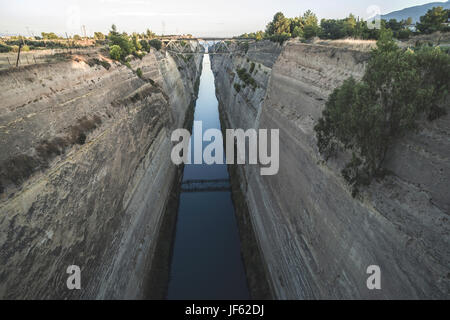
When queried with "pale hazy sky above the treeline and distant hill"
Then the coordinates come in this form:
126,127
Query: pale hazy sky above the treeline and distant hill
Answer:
197,17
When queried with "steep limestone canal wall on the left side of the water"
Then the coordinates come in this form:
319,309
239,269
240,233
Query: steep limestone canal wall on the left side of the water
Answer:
90,151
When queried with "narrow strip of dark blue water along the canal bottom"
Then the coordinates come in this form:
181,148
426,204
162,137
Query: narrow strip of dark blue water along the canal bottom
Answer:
206,262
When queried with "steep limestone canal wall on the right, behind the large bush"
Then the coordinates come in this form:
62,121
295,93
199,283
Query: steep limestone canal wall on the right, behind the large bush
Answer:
316,239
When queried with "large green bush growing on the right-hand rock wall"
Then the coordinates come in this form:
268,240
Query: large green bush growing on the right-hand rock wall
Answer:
399,88
